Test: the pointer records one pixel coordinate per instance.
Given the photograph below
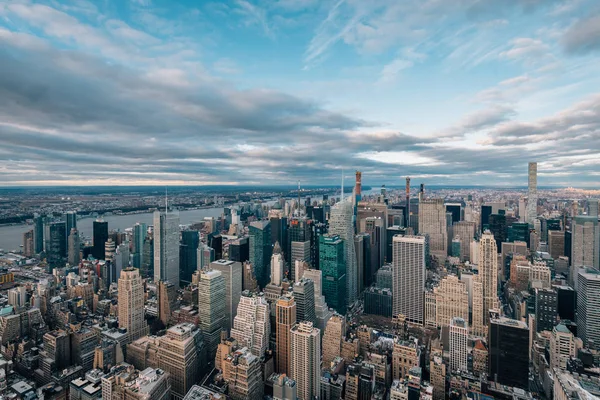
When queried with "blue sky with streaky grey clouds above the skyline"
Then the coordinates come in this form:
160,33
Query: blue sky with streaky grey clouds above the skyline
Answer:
257,92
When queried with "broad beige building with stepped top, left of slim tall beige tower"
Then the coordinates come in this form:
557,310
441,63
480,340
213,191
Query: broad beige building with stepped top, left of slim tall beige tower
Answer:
451,299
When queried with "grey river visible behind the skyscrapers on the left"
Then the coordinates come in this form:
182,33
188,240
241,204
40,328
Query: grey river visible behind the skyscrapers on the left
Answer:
11,236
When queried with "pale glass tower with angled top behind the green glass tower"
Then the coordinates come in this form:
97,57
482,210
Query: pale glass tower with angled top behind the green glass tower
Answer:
340,224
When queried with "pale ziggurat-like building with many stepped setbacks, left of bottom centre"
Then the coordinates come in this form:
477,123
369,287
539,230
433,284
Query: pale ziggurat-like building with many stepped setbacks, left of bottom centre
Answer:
251,325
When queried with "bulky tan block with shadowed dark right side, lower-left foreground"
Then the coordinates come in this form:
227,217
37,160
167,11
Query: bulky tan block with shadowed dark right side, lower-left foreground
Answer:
181,354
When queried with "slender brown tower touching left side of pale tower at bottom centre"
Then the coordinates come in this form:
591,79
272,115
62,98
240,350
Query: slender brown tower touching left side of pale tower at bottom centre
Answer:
285,318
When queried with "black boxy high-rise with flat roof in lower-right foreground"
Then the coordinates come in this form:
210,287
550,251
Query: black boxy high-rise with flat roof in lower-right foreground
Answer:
509,352
